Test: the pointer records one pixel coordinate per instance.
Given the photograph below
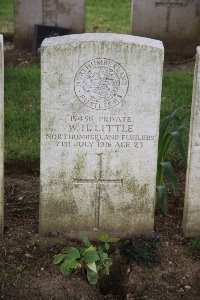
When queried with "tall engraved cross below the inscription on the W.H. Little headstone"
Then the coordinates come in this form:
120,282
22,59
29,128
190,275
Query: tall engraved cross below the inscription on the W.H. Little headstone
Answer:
99,181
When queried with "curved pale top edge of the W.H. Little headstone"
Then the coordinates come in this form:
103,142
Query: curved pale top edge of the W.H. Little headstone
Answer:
102,37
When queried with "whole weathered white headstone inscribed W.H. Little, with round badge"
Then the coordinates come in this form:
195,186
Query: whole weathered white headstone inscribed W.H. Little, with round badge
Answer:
99,133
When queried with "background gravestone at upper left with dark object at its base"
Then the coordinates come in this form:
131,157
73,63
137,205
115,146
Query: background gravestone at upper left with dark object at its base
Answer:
68,14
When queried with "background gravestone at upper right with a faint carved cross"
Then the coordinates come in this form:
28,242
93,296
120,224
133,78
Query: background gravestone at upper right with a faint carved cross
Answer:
175,22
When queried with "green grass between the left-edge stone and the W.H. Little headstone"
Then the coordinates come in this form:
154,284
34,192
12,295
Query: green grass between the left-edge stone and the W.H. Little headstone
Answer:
22,112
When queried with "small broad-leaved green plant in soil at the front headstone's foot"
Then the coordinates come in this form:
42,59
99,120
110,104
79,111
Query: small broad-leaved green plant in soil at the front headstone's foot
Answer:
94,260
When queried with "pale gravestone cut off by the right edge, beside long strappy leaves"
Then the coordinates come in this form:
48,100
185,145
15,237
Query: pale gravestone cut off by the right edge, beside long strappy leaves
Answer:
191,220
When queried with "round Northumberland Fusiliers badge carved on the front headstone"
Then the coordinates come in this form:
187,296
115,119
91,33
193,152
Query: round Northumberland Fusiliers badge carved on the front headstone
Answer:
101,83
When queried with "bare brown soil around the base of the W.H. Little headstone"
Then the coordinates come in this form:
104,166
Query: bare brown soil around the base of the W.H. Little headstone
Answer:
27,272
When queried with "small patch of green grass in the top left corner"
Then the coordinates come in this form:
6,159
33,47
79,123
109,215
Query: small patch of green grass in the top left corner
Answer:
6,16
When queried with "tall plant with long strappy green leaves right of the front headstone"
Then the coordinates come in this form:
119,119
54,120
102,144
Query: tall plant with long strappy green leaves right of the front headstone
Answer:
171,129
